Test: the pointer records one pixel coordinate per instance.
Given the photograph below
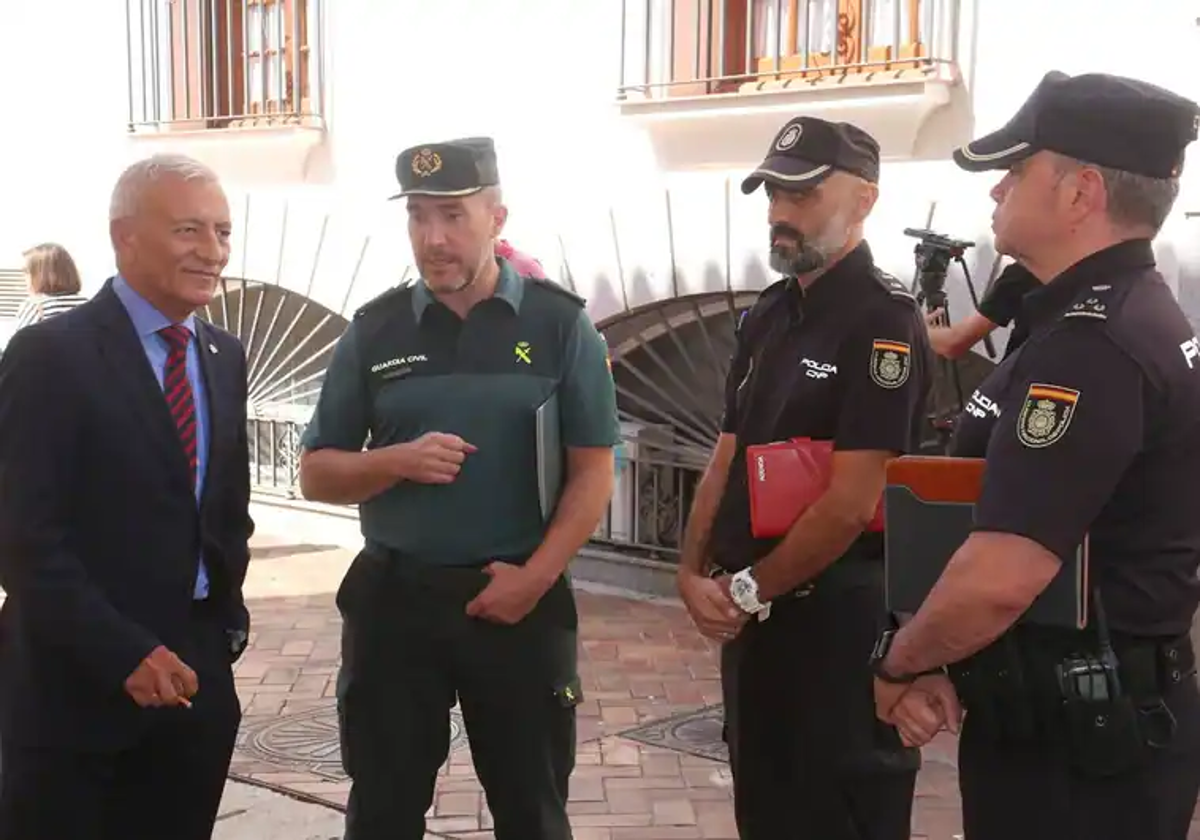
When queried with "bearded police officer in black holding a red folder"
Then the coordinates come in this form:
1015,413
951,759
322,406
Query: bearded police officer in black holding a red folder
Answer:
837,351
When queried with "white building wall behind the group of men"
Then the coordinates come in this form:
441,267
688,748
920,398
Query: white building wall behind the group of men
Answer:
541,76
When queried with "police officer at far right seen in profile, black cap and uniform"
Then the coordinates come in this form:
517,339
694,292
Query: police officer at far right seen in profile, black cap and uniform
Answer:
1096,431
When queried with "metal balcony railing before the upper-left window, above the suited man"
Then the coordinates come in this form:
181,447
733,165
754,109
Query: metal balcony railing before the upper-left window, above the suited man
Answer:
224,64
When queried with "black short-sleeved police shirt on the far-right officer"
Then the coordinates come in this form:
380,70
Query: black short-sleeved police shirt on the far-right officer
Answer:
1094,428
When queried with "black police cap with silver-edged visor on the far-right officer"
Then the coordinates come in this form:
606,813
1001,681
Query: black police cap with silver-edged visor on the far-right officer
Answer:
1106,121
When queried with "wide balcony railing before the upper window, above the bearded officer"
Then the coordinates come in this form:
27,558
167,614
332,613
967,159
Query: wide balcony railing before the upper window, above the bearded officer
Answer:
699,47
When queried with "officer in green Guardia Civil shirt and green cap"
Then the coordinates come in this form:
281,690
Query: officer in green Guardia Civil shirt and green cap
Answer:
461,589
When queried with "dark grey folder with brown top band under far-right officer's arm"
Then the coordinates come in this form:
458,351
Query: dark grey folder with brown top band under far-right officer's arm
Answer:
929,509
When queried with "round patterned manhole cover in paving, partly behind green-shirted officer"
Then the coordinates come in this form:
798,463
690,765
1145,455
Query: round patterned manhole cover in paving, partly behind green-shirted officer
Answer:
309,741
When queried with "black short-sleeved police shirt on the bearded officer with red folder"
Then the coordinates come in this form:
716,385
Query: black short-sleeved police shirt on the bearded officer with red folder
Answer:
847,361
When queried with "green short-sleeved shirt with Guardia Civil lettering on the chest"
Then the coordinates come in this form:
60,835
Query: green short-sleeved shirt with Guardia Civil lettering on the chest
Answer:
407,365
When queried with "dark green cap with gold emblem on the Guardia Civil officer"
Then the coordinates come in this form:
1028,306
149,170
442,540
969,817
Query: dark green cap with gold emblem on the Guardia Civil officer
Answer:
452,169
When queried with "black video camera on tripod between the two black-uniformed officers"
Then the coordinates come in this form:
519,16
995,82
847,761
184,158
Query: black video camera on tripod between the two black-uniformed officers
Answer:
934,255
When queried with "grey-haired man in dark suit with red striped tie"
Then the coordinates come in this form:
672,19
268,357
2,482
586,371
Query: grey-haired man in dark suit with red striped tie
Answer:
124,530
